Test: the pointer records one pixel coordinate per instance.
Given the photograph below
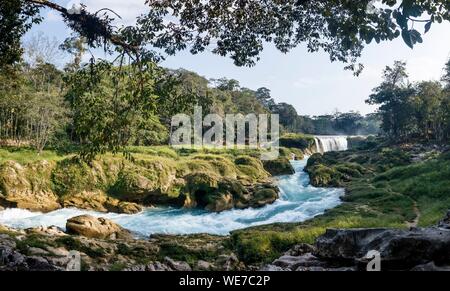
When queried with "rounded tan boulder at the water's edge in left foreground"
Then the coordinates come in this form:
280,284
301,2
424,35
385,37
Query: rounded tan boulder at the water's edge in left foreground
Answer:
92,227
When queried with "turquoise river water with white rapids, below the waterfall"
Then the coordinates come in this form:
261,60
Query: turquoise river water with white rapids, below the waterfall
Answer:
298,202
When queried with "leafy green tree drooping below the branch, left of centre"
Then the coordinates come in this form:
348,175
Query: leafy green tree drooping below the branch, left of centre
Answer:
108,109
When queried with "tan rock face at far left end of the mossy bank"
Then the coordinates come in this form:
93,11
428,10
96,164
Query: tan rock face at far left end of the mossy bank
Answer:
27,187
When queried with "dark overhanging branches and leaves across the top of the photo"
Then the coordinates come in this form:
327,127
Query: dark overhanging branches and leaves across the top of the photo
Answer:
239,28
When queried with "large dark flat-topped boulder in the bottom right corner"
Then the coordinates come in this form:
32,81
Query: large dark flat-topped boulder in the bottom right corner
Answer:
399,249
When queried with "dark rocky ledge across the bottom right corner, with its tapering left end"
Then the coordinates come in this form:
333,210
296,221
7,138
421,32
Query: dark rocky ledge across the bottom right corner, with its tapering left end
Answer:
417,249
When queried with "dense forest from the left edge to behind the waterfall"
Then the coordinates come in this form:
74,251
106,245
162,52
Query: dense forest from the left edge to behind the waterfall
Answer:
42,105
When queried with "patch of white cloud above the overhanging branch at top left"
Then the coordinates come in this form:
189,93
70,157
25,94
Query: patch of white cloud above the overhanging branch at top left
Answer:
127,9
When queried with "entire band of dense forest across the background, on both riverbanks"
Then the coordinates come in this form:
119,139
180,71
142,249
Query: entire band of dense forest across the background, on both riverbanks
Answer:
42,105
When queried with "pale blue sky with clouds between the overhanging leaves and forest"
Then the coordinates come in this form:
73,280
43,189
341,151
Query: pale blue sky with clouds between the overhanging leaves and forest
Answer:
308,81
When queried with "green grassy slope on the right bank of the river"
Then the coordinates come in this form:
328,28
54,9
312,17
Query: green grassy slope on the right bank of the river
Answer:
375,198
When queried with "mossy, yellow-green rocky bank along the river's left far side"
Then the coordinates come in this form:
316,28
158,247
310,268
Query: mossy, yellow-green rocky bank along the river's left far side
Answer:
215,182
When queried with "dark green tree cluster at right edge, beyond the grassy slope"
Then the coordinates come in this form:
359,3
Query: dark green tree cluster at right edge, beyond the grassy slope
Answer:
408,110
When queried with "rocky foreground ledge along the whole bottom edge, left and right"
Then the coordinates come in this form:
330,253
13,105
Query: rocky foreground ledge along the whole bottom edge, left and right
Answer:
105,246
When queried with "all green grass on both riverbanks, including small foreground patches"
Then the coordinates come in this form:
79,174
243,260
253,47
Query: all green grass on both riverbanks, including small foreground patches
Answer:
383,190
